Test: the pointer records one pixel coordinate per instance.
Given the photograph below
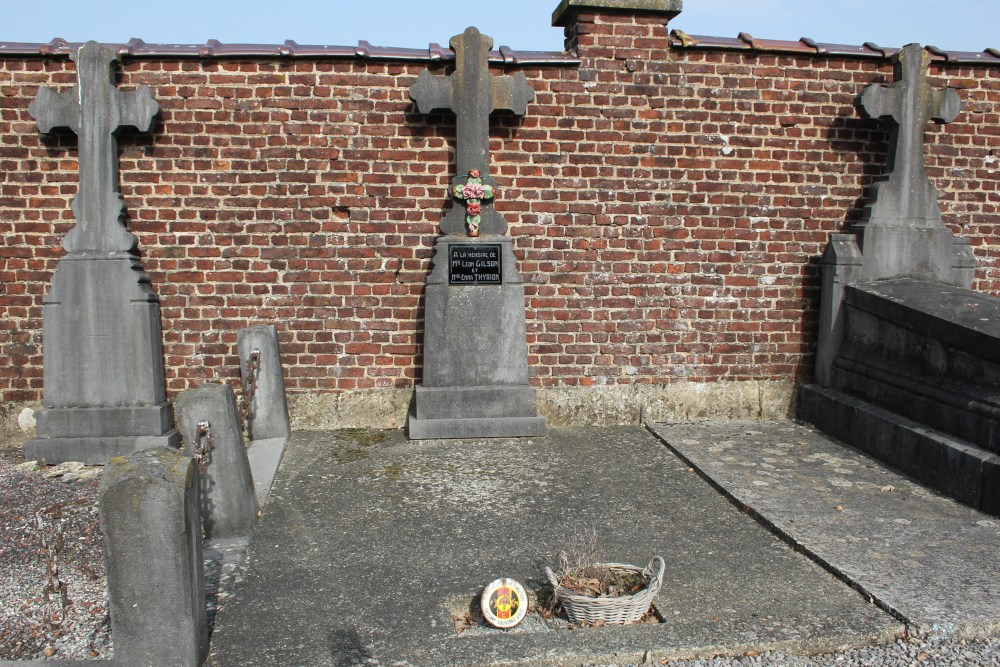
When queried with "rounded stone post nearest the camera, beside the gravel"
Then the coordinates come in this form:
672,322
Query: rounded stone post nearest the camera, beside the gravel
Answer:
152,534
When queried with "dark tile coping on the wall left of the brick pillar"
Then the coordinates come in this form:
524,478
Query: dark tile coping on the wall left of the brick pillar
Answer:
136,48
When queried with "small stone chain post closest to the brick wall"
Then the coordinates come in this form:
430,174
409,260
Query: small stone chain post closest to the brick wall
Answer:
269,405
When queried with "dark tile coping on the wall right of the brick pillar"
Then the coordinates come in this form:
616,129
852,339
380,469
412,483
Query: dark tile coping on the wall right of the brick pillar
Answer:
806,46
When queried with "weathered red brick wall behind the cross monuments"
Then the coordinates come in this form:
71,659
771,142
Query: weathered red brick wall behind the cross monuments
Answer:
668,206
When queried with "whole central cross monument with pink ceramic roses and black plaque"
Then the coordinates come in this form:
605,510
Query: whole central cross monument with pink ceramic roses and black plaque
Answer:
475,375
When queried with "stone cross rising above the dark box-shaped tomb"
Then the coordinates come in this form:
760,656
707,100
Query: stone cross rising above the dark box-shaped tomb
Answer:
907,193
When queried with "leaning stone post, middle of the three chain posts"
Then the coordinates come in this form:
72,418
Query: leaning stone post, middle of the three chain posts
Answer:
228,494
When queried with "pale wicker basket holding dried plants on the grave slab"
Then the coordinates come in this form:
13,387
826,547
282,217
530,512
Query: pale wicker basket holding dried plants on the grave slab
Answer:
612,611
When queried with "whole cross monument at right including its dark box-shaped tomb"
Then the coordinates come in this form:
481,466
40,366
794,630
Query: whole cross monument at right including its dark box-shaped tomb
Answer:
907,366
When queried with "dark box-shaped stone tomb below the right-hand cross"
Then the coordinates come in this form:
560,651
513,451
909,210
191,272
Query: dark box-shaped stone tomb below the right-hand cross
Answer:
915,381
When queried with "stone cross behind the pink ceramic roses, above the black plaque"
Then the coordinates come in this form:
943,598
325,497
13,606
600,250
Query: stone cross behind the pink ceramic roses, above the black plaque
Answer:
473,94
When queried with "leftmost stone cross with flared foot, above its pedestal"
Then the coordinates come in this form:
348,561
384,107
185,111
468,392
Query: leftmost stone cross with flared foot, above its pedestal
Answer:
94,109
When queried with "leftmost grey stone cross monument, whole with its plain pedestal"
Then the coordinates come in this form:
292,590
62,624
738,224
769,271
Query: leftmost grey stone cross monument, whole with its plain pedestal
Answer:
104,392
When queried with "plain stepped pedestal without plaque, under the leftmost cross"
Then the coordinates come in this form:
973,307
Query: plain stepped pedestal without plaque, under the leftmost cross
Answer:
102,364
